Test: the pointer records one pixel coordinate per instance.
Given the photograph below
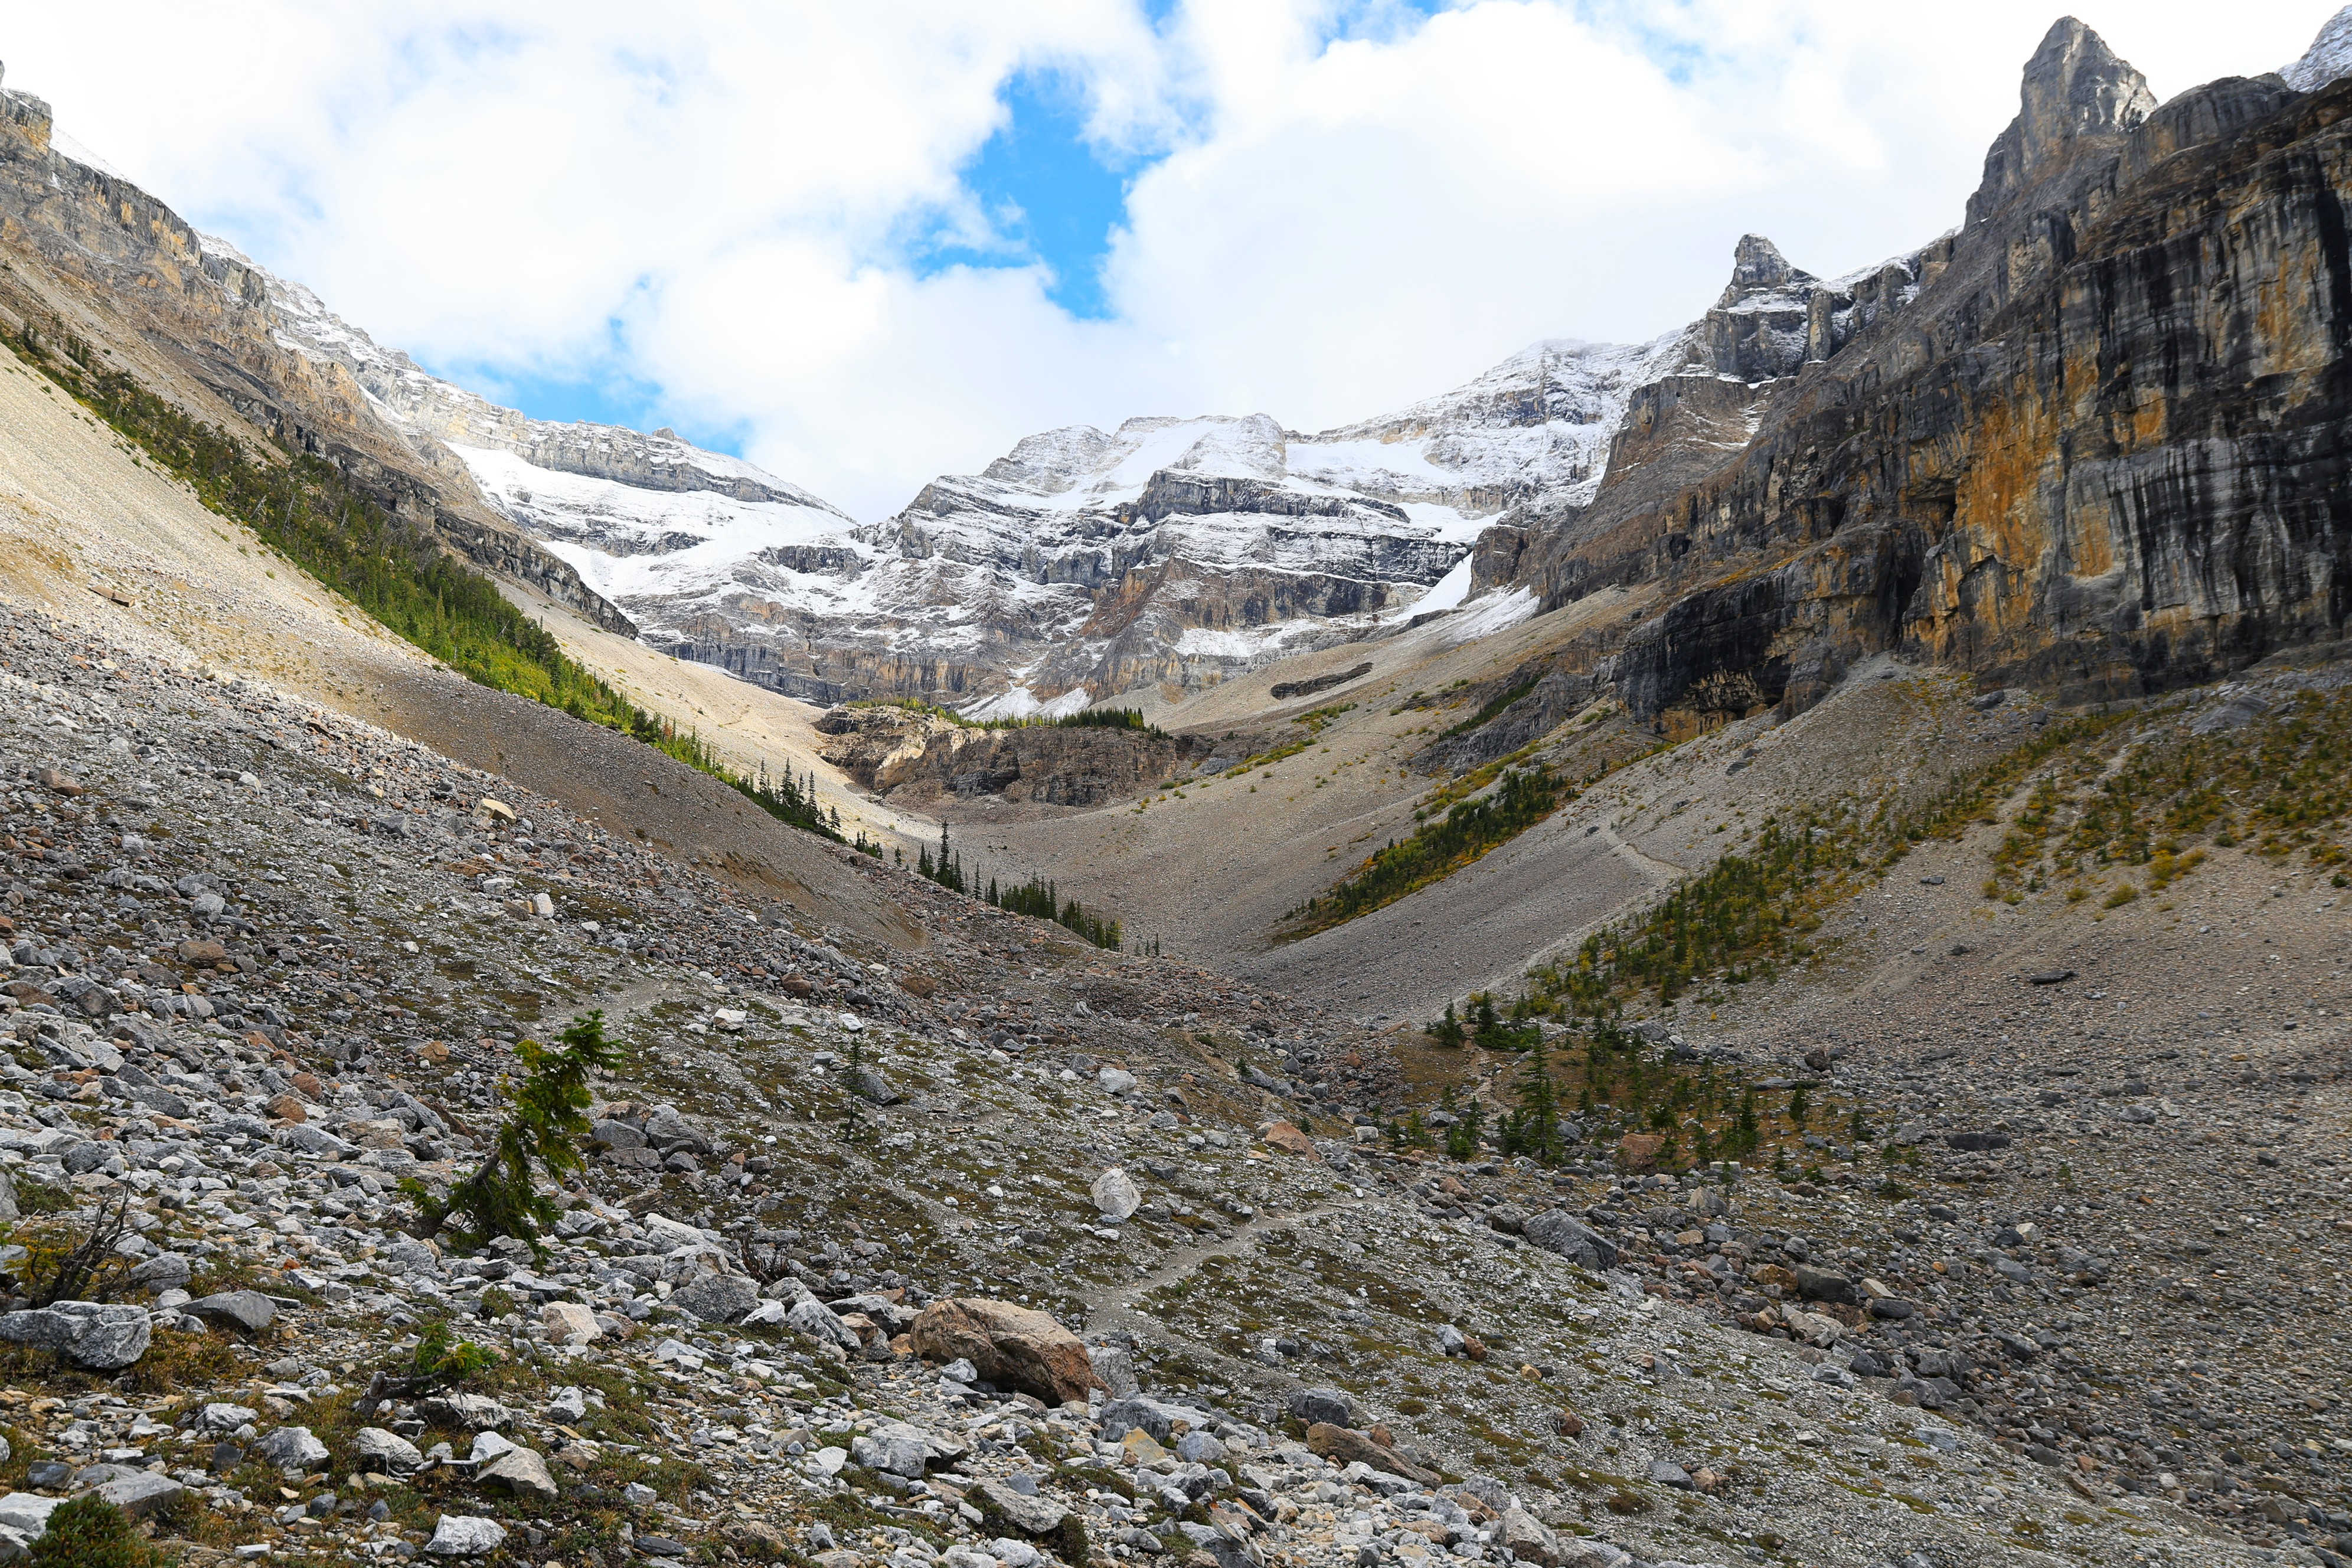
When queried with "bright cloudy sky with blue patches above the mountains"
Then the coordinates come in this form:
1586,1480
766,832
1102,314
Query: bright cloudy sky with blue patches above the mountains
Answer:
874,241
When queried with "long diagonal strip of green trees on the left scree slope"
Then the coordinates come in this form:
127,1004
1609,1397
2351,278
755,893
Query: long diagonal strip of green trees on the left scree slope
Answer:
392,570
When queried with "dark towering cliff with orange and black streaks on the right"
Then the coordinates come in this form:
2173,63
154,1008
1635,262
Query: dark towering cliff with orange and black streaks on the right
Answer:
2092,441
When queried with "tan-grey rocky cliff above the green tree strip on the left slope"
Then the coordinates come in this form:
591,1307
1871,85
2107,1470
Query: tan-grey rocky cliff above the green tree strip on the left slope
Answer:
102,264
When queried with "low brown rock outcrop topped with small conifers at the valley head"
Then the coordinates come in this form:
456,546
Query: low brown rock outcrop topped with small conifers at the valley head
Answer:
916,756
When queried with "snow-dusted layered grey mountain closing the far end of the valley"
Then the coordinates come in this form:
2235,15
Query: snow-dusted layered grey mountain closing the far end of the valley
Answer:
1081,565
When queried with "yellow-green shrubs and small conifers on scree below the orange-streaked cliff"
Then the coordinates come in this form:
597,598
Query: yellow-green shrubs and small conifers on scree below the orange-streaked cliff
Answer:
2153,808
